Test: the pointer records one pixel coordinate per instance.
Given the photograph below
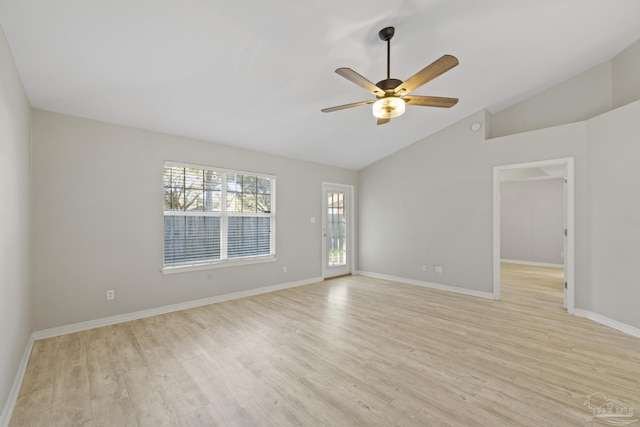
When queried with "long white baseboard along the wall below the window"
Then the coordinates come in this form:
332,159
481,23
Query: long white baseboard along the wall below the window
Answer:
112,320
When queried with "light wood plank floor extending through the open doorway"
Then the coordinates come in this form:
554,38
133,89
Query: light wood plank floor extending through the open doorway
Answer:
349,351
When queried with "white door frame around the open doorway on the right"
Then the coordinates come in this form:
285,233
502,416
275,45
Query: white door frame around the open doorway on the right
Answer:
569,260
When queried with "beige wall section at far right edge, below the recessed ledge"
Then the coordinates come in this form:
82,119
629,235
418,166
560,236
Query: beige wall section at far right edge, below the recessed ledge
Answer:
614,181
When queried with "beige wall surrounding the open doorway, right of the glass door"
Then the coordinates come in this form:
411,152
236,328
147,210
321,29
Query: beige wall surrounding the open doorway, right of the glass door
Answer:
431,203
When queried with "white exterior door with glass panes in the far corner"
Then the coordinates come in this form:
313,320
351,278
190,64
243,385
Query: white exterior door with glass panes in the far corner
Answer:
336,230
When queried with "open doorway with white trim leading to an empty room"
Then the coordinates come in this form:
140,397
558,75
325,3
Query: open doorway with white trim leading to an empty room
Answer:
559,238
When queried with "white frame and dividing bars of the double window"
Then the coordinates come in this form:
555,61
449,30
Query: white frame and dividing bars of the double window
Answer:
224,215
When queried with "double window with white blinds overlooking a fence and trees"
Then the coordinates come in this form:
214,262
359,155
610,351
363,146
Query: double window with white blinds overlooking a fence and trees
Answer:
213,216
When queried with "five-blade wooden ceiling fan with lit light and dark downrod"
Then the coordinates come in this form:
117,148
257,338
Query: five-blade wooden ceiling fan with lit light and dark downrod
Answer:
393,94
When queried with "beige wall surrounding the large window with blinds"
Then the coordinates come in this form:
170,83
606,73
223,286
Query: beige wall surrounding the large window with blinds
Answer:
98,220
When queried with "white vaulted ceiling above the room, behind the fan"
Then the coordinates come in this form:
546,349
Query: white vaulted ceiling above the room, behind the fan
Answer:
255,74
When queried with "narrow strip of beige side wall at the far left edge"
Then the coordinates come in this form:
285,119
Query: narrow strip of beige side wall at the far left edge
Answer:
15,282
